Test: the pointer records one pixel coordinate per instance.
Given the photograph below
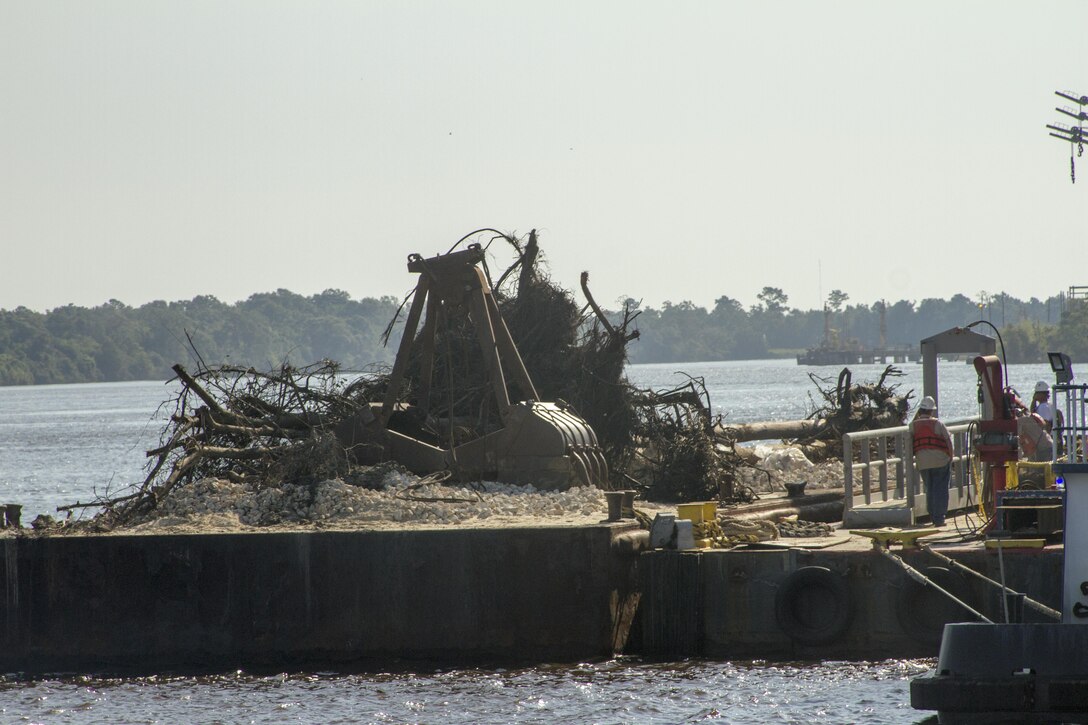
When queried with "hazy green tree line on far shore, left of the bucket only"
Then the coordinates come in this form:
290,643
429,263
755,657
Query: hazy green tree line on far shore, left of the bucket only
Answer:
116,342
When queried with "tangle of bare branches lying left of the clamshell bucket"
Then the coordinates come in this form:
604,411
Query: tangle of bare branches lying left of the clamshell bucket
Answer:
263,429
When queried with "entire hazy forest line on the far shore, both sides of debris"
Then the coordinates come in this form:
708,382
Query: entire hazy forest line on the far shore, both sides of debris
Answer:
116,342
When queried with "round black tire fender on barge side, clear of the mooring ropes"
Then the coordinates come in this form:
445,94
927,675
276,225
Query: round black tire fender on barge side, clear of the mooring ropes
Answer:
813,606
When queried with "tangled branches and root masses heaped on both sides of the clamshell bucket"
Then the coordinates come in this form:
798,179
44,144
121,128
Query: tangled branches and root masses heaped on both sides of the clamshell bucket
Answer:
301,425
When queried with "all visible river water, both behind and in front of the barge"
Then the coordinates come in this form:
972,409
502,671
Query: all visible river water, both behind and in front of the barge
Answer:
66,444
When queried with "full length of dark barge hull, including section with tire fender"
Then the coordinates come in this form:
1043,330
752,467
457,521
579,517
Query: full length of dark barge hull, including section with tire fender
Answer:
344,600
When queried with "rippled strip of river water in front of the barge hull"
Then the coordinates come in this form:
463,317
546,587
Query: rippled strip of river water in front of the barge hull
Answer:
614,692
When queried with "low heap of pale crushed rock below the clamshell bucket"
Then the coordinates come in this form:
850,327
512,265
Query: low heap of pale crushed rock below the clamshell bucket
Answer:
398,497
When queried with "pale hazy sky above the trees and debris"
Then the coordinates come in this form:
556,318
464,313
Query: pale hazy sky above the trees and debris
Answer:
677,151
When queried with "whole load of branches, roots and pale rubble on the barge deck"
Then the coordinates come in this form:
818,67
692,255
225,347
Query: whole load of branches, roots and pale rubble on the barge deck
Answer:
285,446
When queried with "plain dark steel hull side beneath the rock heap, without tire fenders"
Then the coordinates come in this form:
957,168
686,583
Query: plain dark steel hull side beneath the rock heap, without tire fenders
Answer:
218,603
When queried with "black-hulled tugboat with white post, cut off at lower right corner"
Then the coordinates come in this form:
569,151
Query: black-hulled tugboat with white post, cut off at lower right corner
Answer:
1025,673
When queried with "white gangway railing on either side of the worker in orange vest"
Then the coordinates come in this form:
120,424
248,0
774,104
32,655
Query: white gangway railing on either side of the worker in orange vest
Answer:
885,470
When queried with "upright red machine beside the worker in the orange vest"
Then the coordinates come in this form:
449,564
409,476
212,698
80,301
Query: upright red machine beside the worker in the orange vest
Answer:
997,444
